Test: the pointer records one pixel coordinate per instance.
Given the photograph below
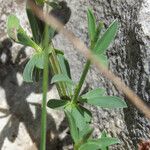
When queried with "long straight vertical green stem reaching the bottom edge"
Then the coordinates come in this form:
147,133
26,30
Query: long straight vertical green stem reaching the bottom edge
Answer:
45,89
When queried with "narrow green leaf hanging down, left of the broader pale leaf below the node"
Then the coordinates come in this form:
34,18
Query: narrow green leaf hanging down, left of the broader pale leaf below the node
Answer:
72,126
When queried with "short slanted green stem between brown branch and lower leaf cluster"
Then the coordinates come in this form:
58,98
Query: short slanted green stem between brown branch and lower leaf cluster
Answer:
81,81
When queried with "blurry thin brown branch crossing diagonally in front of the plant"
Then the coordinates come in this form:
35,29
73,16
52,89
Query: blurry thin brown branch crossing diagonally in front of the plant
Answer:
49,19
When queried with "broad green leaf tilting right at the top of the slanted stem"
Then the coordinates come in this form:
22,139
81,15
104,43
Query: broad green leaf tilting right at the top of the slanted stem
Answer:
103,43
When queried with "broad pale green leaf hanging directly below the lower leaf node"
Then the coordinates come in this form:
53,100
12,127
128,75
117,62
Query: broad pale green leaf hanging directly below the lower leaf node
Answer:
79,118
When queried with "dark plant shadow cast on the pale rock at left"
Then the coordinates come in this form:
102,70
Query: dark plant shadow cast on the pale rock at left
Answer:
16,95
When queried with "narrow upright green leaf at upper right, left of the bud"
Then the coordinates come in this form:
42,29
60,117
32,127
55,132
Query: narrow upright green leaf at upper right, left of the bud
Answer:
91,24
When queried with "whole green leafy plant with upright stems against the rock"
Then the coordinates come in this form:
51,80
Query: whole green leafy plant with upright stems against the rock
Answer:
47,58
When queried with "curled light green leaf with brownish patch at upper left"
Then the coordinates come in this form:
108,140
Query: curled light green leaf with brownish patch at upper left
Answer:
16,32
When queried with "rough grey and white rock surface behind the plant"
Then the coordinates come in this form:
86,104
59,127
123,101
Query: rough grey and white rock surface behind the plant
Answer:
129,58
